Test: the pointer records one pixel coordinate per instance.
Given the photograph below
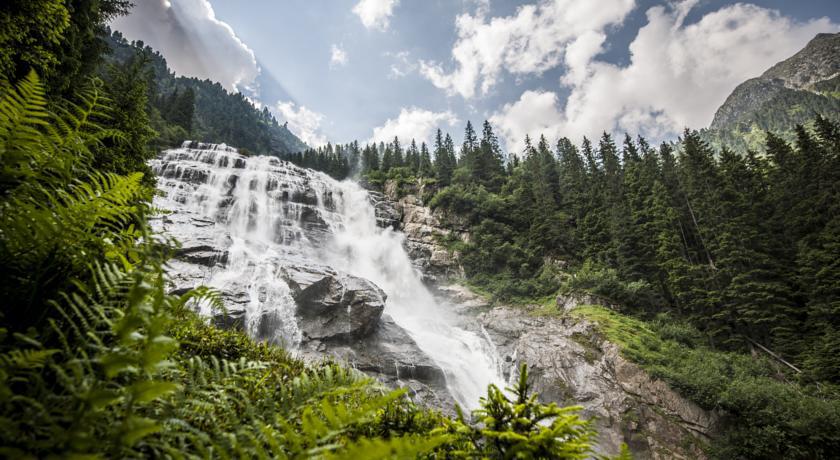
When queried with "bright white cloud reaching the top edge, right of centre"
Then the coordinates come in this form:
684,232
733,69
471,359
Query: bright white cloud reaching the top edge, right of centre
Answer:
529,42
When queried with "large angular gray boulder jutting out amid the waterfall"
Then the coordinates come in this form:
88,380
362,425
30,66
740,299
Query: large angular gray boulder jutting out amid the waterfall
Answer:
333,306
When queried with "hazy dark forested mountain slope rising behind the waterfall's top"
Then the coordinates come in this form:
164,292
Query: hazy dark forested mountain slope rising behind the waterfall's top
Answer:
212,114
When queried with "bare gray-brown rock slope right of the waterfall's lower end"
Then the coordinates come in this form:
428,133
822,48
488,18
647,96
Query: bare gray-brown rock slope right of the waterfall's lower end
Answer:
571,363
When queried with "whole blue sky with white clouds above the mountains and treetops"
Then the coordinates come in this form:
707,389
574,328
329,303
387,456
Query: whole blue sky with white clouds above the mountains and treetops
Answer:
372,69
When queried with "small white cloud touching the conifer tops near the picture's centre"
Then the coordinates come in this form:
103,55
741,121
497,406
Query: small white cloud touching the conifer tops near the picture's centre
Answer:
413,122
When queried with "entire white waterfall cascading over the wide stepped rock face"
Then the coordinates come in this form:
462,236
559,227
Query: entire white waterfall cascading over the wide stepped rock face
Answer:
268,214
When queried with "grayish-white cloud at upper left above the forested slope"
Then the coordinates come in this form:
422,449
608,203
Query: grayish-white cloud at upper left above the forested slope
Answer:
194,42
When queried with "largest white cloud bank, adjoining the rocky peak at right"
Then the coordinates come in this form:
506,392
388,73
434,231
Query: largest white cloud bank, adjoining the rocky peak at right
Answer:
677,76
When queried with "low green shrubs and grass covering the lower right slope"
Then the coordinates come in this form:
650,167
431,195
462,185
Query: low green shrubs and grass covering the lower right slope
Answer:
765,413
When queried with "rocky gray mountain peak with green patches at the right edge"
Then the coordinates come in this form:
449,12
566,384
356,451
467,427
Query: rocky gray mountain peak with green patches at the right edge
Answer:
792,92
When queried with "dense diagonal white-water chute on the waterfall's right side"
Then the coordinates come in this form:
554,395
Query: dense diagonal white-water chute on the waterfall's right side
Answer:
362,248
